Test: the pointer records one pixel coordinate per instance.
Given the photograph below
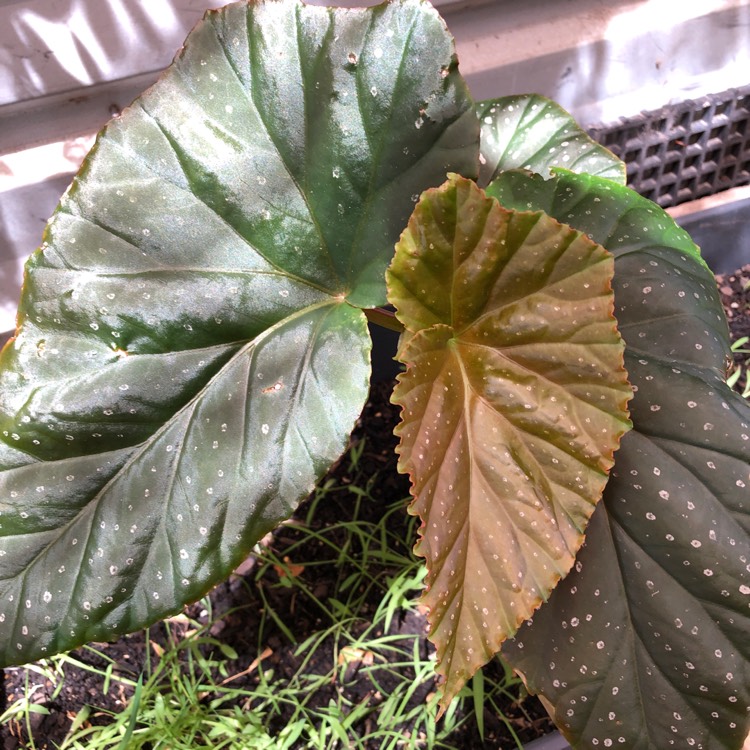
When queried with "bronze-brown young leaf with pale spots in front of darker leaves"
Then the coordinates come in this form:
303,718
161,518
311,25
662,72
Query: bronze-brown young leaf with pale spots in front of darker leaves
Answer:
513,403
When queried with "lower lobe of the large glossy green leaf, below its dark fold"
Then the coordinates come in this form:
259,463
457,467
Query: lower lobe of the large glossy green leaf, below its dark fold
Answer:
98,545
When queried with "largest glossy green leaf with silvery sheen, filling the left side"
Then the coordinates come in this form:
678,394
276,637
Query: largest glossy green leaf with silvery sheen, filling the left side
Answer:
175,386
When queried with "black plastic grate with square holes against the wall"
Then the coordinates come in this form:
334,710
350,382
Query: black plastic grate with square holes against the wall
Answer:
684,151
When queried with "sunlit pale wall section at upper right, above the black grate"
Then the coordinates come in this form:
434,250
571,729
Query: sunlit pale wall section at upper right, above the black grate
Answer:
617,59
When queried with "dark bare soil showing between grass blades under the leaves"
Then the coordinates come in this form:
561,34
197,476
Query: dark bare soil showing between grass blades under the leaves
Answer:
239,602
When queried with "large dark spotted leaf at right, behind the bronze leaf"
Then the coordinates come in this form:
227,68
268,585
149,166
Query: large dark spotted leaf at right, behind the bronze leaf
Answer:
647,643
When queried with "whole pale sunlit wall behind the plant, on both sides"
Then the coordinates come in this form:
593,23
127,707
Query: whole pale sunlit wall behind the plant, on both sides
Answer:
67,65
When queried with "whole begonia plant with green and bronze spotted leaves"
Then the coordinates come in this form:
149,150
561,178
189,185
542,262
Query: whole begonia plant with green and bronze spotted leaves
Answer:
192,352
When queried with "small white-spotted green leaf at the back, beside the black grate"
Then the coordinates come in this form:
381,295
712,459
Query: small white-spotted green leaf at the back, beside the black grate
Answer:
531,132
